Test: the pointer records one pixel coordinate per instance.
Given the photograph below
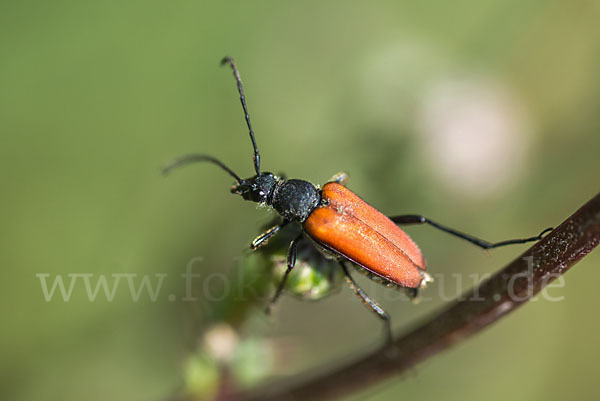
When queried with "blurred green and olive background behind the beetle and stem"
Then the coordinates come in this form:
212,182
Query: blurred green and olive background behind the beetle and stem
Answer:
480,114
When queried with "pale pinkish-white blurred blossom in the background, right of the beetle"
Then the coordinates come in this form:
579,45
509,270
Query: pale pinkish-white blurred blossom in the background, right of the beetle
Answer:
476,136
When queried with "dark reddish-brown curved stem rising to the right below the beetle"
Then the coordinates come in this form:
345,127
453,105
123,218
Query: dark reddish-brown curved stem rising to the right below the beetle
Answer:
501,294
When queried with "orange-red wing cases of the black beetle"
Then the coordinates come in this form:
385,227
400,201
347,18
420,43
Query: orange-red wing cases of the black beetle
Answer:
349,226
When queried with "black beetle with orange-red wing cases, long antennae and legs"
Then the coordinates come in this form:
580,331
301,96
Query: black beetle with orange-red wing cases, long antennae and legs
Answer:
339,223
